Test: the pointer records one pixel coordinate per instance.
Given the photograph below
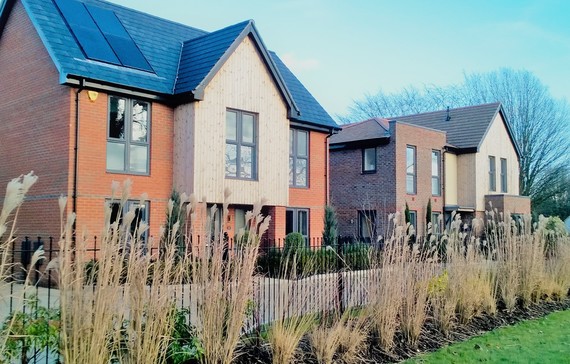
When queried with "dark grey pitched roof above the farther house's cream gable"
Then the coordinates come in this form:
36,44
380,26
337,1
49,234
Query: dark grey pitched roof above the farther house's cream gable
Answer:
465,127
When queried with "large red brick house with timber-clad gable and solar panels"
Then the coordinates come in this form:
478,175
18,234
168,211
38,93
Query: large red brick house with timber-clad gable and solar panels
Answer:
93,92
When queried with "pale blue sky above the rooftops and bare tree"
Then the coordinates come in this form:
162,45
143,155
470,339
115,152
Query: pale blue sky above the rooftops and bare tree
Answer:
344,49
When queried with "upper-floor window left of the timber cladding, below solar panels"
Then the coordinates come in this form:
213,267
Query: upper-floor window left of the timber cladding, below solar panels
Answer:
128,135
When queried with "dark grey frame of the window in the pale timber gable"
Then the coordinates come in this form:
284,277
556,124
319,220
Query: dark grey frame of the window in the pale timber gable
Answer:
238,142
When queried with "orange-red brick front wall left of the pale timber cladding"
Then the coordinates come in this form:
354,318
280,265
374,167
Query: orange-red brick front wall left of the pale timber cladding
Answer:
94,182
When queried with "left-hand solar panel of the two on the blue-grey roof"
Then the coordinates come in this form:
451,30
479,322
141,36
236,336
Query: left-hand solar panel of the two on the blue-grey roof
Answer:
88,35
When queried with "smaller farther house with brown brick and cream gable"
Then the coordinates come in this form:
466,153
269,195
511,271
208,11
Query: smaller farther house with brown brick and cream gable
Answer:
463,159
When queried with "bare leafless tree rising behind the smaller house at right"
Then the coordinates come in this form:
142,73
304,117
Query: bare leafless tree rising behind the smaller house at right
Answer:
540,123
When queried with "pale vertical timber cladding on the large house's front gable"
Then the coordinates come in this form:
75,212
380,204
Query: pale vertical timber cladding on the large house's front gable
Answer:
242,83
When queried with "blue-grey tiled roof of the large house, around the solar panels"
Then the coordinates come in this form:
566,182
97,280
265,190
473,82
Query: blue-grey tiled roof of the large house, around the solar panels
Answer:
181,58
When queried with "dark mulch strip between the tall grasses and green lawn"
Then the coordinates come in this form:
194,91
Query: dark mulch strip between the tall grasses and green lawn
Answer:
431,338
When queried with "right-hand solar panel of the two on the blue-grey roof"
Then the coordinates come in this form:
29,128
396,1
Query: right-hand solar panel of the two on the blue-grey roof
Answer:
119,39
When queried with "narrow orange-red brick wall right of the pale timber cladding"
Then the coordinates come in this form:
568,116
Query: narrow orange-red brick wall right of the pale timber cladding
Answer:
313,197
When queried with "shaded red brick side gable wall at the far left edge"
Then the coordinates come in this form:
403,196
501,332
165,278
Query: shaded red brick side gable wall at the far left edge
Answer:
34,124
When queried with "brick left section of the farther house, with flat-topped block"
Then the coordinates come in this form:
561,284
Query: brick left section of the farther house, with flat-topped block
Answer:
377,166
